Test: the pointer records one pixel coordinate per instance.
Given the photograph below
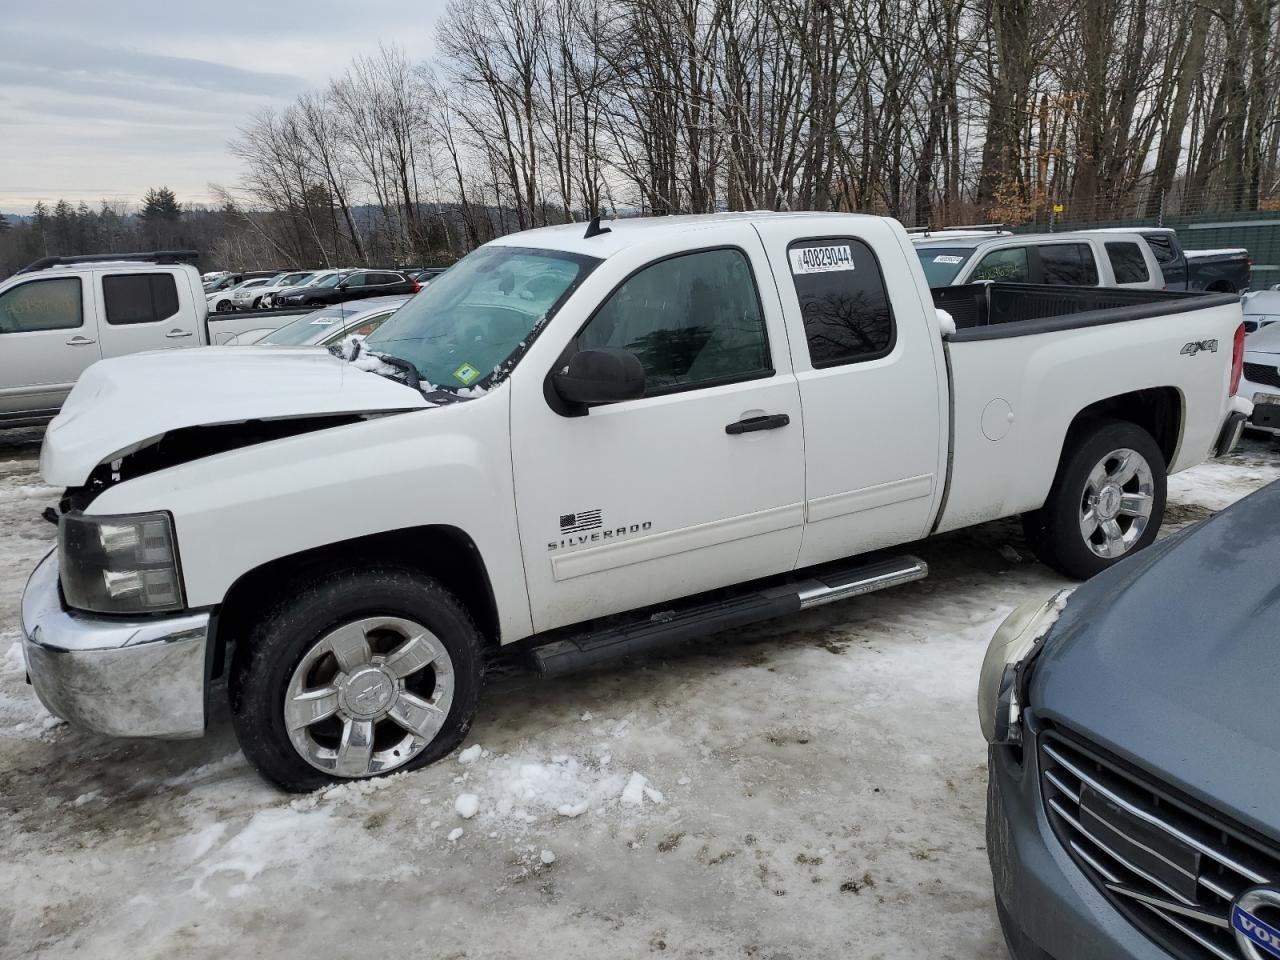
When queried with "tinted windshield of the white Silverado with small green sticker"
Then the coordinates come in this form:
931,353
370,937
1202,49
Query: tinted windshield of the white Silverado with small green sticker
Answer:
464,330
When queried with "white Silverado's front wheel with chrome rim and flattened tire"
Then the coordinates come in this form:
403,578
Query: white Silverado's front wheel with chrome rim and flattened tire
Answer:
356,675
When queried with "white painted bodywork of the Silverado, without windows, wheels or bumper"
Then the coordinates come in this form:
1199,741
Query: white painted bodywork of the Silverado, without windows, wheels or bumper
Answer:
863,463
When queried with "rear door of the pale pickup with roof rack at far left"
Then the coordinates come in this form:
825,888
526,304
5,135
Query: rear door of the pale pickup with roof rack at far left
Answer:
145,310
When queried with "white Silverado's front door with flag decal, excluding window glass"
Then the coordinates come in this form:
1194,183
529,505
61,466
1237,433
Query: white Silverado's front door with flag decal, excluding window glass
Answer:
721,509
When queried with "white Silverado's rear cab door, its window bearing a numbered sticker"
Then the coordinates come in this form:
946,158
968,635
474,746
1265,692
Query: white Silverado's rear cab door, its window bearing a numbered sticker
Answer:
863,349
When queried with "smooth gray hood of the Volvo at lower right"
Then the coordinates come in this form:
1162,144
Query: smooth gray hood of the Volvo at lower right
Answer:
1171,662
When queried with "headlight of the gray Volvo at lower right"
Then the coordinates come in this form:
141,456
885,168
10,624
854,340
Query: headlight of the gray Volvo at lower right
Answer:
999,710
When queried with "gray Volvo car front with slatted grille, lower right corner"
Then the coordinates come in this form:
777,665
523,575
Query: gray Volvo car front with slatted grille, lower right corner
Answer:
1135,779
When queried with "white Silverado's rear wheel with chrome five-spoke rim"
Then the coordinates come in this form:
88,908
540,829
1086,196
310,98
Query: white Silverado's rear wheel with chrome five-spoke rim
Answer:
1107,504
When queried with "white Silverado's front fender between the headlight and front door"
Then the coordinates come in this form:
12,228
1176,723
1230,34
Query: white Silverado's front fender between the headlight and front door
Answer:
449,465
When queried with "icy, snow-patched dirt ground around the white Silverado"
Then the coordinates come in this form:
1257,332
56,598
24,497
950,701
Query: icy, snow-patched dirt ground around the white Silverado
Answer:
810,788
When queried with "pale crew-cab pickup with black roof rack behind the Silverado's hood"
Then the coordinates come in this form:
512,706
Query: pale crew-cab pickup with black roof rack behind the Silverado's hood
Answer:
62,314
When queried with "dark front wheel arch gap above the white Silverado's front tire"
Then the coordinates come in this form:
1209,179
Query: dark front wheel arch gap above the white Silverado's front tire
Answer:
444,552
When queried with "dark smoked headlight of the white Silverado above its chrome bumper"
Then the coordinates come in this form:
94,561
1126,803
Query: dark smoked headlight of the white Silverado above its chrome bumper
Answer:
120,564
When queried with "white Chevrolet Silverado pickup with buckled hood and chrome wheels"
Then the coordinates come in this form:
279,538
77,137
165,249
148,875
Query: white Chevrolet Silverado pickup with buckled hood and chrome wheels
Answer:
588,444
